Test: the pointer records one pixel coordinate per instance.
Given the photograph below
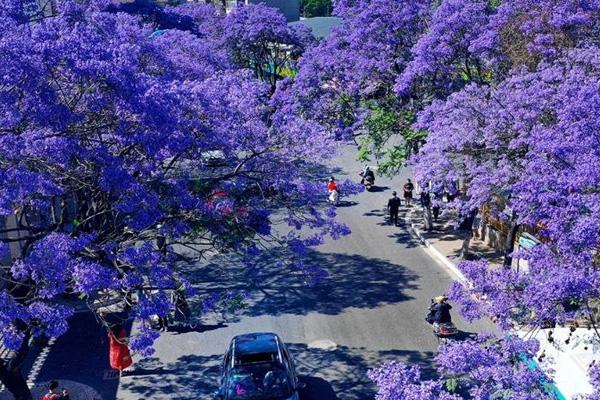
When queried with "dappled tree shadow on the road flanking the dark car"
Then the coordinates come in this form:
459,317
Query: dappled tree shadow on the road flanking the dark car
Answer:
340,373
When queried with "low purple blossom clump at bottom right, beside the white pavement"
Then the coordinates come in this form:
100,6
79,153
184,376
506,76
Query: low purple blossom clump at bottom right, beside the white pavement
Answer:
484,367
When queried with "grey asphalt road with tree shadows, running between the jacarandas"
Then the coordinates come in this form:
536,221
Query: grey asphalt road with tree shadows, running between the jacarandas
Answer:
370,310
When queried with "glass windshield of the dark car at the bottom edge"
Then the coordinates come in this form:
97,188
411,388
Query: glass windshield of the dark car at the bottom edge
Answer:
264,381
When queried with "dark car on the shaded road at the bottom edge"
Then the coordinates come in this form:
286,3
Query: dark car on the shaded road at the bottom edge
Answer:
258,366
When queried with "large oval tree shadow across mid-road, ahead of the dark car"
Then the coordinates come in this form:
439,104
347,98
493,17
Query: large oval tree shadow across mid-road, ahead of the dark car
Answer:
354,281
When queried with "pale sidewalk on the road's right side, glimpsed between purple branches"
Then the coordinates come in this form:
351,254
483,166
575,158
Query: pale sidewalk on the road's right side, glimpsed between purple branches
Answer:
572,353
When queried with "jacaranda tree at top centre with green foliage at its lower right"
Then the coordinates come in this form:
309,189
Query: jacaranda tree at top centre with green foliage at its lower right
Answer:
346,83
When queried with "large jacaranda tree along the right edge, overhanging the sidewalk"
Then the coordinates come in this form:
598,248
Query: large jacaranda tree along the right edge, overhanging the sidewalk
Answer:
517,116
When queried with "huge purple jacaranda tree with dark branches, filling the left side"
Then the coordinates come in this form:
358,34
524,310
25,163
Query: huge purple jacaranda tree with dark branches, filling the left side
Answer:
109,132
